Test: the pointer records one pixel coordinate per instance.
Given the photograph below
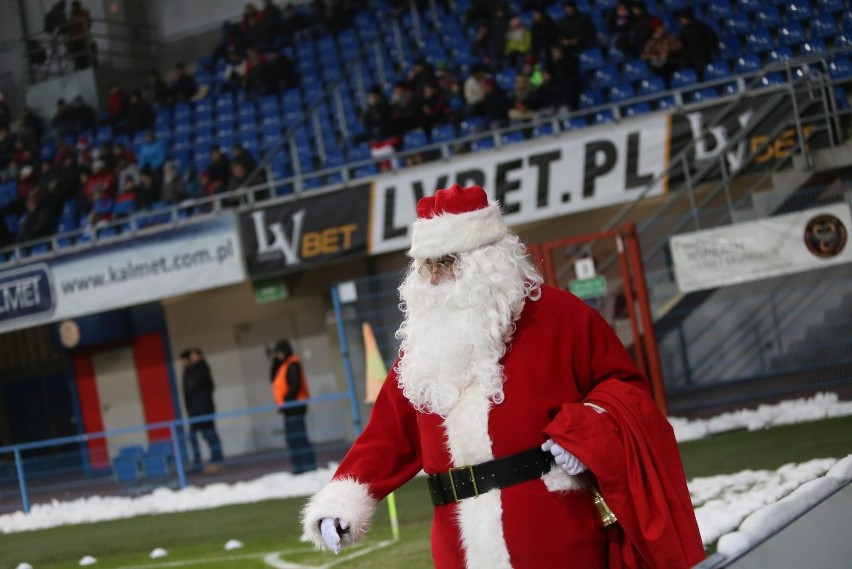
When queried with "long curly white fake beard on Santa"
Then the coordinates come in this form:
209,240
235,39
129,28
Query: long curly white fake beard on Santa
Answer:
455,333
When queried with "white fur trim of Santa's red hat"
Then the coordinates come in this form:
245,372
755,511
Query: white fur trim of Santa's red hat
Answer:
457,233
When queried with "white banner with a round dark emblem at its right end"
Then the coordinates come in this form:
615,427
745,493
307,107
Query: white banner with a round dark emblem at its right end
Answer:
769,247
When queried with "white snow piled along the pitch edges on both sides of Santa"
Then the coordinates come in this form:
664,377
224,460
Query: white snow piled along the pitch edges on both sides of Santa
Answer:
729,506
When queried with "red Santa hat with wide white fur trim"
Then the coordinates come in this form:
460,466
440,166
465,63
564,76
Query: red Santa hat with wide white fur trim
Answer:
455,220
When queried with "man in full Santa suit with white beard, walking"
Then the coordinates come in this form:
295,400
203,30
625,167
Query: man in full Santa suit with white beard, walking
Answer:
514,397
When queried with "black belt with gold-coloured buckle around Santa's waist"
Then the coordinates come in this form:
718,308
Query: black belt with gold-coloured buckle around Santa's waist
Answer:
471,481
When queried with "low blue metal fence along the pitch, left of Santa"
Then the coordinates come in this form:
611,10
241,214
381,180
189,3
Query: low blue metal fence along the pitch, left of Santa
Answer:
135,460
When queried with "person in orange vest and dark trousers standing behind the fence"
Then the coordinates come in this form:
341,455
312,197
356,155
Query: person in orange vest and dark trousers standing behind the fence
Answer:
289,386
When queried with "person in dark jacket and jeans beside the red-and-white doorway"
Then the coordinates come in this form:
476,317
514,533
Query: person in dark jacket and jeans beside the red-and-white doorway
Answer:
198,399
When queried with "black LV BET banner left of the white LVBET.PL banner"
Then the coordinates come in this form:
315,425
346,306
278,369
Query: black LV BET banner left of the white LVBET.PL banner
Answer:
293,236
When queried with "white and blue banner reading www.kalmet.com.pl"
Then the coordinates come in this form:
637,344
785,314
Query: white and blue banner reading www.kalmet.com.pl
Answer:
190,258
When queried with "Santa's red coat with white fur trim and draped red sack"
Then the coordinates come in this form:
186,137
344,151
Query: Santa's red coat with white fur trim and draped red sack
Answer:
562,354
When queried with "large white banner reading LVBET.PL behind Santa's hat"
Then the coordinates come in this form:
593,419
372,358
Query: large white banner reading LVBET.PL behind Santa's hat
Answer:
546,178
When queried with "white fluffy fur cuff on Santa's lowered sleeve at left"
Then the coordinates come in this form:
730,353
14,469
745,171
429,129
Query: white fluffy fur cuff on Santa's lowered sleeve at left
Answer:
346,499
